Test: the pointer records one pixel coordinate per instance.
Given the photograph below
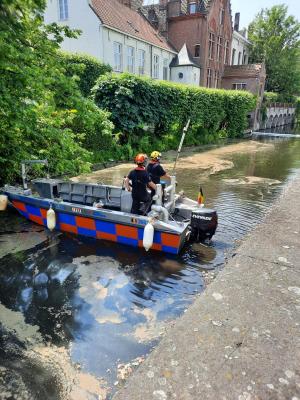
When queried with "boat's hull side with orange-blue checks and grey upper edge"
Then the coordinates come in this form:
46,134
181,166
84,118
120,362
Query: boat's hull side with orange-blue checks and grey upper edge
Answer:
76,220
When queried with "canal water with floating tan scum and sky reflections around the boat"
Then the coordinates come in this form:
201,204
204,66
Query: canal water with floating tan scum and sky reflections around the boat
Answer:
78,315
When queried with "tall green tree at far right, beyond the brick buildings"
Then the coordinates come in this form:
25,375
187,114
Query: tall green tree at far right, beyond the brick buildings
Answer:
275,40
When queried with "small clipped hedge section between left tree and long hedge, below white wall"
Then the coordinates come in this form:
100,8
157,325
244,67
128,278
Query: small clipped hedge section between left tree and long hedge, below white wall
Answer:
87,69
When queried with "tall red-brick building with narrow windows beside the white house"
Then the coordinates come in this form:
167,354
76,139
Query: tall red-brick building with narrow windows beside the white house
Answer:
206,28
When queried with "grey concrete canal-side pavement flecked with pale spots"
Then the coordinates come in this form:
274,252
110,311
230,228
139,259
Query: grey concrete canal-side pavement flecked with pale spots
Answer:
241,338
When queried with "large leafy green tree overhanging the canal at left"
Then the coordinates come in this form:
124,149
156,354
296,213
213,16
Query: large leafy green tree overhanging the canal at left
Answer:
42,112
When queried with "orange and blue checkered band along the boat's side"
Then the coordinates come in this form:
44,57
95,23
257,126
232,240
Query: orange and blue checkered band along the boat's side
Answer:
129,235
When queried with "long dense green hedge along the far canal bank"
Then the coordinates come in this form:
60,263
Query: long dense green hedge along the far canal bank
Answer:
146,110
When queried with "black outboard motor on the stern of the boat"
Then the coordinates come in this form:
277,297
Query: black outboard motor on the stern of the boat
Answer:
204,222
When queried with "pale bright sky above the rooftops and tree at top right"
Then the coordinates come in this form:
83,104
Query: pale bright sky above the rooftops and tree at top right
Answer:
249,9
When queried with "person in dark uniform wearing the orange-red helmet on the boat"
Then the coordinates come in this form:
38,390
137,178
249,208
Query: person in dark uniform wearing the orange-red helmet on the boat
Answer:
140,181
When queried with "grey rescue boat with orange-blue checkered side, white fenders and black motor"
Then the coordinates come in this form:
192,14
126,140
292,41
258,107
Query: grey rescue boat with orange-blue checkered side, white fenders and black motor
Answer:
104,212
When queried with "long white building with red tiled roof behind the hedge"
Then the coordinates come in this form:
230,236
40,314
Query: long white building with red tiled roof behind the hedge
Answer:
114,34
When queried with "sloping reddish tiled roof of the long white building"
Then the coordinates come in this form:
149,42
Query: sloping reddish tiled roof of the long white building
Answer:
117,16
